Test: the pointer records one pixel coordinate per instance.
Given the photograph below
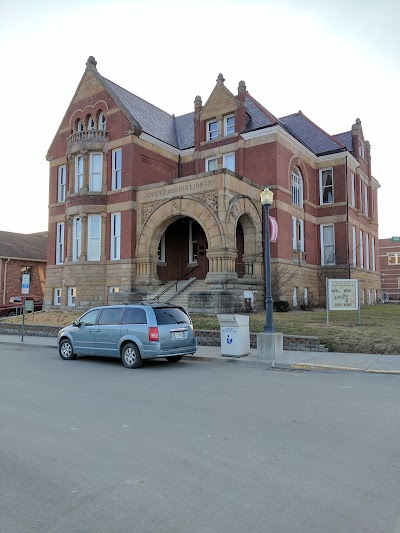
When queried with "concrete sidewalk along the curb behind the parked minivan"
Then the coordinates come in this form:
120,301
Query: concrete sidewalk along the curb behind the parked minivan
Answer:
379,364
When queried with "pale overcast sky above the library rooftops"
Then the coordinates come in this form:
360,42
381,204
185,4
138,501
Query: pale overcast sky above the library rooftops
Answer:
335,60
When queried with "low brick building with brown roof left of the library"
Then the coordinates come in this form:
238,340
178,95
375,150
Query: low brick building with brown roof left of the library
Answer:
22,253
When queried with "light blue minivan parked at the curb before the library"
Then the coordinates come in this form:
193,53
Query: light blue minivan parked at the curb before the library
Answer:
131,332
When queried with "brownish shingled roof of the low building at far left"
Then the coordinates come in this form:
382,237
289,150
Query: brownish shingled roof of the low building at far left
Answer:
23,246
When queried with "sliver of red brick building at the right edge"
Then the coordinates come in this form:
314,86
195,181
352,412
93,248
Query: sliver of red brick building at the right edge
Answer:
389,266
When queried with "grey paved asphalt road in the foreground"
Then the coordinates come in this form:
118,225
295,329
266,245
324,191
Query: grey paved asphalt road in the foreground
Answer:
90,446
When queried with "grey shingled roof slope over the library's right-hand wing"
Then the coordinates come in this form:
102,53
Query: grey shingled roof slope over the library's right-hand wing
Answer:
309,134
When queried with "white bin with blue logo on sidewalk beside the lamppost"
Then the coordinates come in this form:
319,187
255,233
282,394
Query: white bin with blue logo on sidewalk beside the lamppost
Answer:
235,335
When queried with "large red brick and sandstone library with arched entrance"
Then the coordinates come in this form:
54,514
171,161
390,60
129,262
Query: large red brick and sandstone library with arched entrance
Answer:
138,197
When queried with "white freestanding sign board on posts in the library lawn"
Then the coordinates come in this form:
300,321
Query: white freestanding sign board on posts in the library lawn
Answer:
342,295
